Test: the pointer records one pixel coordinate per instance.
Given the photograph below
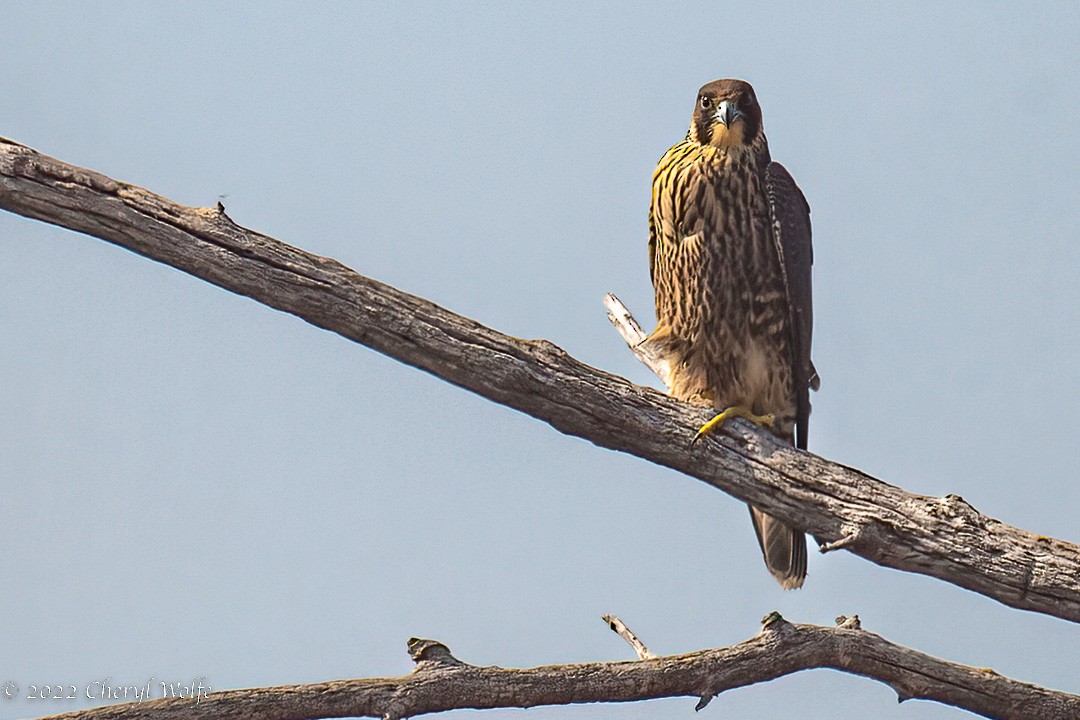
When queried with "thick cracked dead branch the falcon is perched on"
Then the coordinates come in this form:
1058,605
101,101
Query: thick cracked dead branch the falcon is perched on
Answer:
944,538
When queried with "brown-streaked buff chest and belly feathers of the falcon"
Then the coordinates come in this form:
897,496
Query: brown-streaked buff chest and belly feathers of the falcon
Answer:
720,284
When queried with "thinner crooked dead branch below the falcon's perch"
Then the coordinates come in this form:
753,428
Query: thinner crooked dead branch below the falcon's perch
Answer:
442,683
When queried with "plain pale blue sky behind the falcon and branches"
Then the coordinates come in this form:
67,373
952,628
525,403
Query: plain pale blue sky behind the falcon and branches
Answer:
197,486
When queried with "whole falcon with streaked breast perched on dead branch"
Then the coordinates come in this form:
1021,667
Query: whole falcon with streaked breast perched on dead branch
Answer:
731,256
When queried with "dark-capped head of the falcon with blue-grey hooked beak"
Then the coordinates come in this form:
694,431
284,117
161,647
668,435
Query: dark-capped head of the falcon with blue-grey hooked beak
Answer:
726,116
